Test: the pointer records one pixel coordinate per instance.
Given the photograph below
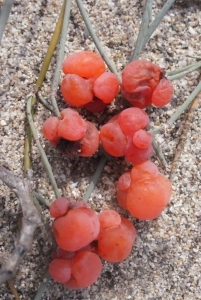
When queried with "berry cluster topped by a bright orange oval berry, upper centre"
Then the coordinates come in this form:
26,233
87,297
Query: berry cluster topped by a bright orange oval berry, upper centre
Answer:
87,83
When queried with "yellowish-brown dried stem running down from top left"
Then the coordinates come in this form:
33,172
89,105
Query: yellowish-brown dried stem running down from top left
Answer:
44,68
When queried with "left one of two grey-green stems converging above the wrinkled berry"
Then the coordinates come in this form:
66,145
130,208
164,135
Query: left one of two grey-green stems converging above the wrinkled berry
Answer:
143,29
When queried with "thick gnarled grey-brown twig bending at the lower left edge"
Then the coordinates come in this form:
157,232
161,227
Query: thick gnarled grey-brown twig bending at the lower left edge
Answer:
31,220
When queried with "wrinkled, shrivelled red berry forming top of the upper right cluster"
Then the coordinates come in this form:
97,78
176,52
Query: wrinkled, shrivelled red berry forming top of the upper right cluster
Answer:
140,73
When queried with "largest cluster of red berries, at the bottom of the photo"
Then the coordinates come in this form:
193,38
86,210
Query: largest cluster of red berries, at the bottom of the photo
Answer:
82,237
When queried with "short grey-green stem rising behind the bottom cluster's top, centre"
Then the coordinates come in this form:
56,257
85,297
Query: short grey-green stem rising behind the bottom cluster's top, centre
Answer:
95,178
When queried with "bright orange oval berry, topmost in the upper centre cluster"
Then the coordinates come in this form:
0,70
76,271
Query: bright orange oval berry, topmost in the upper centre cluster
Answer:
85,64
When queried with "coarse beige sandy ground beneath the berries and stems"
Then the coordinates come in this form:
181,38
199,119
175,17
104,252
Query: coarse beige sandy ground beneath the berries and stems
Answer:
165,261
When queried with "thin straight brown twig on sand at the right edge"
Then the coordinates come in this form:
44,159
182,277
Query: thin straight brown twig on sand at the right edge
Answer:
182,139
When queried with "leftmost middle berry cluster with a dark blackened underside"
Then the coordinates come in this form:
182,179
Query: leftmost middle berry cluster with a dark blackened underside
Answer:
72,134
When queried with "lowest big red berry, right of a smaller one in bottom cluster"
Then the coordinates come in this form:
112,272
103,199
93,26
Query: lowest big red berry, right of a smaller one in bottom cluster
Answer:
86,268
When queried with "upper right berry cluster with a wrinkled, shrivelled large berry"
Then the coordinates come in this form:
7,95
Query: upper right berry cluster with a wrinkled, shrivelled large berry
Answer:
143,84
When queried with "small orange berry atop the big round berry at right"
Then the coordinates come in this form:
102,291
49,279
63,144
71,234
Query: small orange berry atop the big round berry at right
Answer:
145,170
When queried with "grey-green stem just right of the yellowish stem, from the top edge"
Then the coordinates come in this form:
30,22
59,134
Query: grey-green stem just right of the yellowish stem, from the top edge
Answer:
60,57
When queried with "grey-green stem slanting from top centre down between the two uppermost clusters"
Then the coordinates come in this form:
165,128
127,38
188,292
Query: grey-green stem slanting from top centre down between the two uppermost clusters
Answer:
100,48
